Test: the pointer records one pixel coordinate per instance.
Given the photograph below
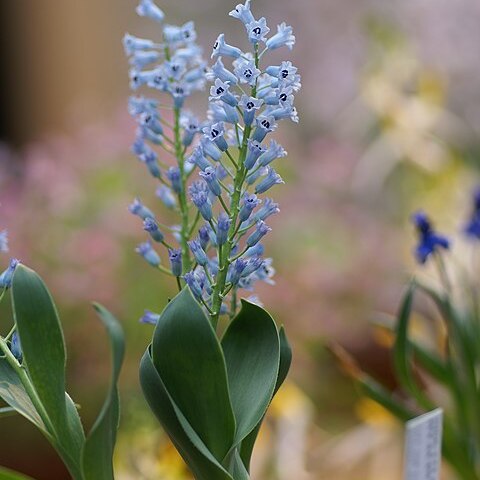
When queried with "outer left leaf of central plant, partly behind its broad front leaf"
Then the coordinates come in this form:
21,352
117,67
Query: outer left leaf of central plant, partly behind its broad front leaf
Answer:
198,458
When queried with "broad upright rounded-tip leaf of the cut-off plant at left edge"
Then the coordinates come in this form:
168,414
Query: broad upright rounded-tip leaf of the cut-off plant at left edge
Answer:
44,355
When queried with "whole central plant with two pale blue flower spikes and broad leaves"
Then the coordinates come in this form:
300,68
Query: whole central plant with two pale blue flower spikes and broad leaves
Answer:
212,171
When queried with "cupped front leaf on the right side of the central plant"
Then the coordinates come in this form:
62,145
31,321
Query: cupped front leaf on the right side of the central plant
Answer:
252,353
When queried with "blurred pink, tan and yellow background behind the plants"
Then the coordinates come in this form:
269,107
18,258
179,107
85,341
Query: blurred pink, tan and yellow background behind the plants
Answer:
390,116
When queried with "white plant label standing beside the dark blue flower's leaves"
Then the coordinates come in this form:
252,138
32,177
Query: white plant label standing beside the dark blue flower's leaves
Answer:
423,446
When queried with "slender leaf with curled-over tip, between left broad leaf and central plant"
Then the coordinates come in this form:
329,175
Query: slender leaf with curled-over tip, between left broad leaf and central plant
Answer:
99,446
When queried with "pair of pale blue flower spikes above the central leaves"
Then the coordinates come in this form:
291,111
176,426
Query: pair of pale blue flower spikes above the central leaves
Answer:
223,165
